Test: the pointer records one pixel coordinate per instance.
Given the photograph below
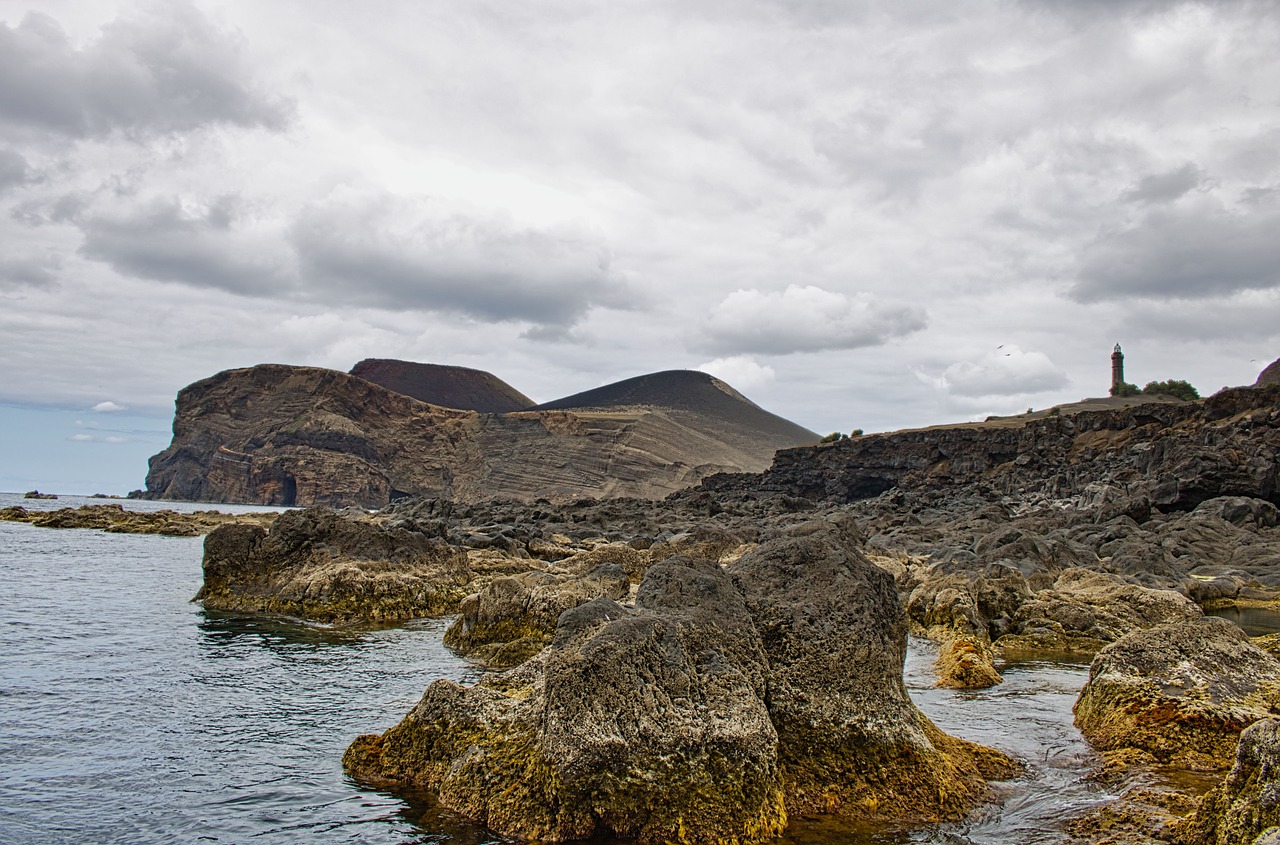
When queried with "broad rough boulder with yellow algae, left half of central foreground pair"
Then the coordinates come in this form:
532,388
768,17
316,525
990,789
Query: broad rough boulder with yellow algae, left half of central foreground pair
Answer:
647,724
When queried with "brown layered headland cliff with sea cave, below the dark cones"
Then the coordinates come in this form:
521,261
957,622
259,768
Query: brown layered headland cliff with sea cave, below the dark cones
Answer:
291,436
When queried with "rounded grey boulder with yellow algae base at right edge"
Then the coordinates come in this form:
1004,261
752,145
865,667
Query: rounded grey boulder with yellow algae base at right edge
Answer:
1182,693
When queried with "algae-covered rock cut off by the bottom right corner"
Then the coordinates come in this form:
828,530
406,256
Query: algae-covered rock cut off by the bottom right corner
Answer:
1246,806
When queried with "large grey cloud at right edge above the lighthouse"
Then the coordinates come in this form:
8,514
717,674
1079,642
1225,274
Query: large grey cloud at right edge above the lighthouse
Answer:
1188,254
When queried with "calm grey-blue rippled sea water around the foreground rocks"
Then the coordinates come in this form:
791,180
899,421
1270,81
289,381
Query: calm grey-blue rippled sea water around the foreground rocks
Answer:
131,715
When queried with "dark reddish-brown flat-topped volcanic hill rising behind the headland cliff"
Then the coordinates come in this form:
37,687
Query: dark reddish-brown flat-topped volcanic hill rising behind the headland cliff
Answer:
450,387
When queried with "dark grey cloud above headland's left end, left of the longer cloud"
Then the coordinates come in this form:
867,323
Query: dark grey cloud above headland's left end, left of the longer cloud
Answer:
166,243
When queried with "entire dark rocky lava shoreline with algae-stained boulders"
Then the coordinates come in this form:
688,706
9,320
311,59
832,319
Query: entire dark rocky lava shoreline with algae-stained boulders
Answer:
652,643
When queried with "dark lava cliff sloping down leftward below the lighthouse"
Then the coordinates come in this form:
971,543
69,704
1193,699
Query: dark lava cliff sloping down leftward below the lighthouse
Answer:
1172,455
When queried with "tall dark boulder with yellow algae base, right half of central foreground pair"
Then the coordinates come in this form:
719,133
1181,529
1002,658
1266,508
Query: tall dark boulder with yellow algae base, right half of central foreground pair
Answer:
851,741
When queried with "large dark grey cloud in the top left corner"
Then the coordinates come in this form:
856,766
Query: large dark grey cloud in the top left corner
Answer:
161,74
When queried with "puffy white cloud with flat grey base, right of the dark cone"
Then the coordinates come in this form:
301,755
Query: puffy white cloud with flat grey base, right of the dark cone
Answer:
806,319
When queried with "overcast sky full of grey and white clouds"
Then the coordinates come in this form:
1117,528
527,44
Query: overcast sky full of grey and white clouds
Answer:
860,214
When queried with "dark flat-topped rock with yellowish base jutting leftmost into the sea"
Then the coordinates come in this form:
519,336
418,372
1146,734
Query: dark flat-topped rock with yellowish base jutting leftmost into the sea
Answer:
321,565
